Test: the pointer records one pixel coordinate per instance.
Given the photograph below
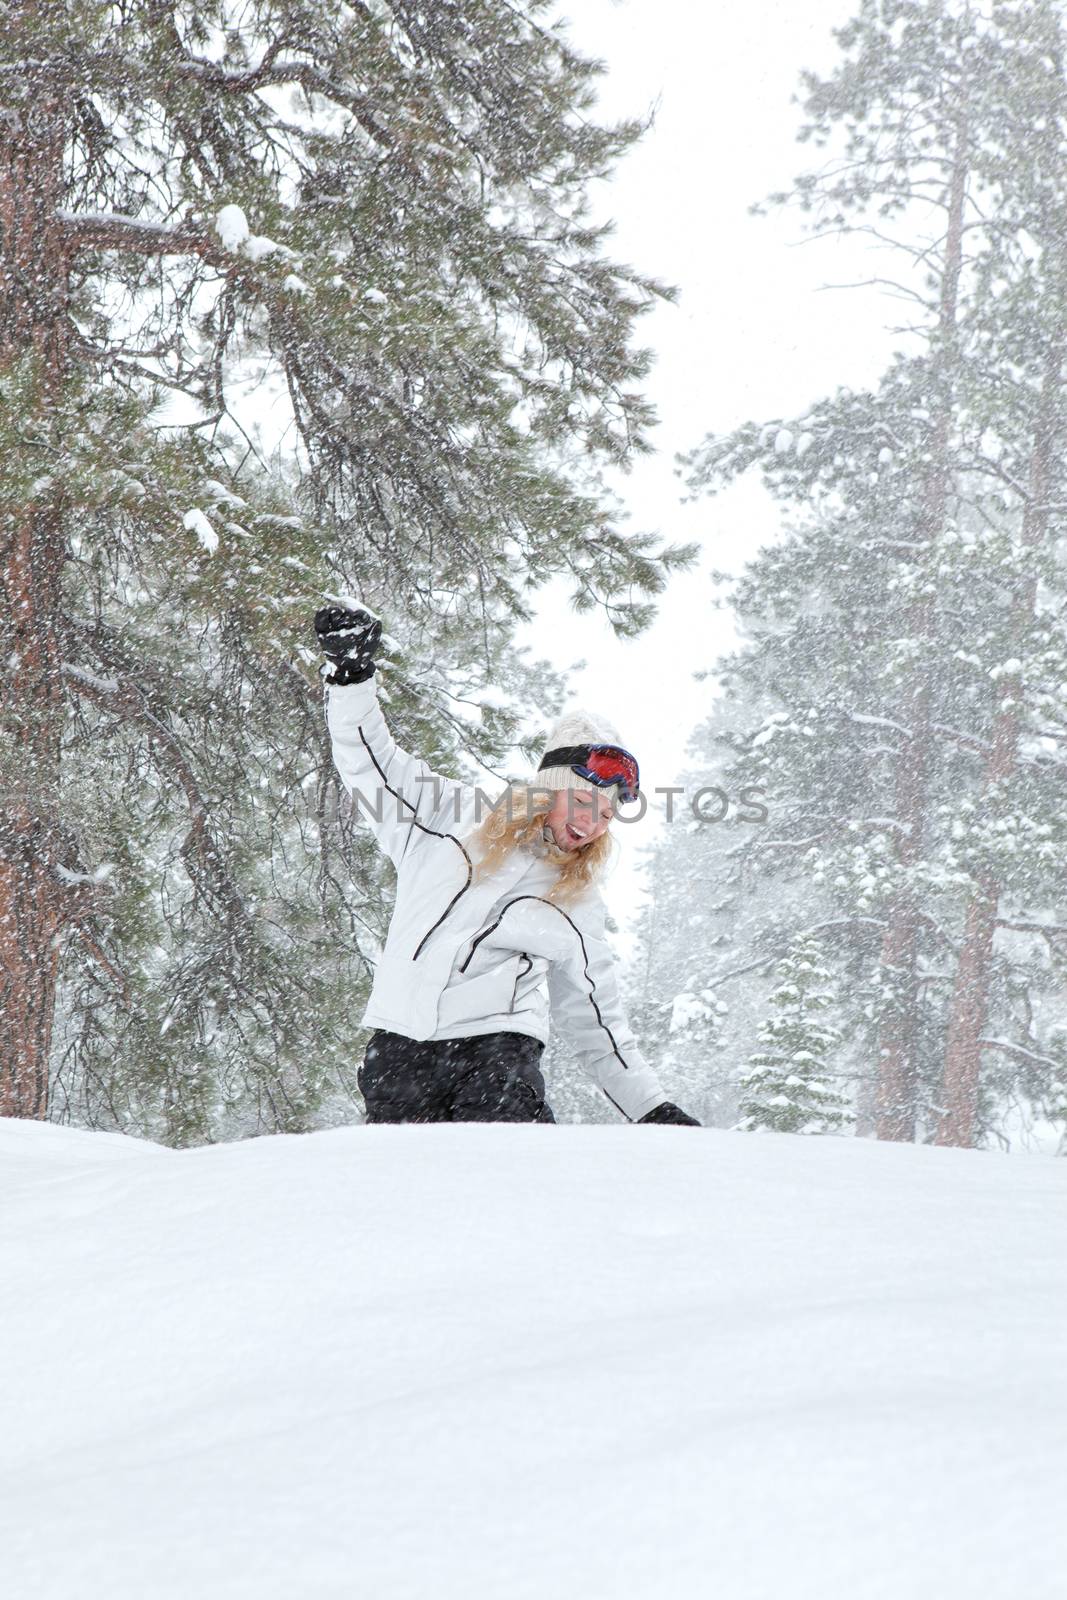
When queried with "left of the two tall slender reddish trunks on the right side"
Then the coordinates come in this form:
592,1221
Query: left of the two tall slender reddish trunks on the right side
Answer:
897,1092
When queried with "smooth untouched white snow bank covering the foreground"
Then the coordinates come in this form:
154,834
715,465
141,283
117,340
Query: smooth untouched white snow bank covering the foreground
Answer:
530,1362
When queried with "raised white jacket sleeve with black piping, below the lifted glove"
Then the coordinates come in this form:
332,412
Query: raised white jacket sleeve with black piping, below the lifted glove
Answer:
394,793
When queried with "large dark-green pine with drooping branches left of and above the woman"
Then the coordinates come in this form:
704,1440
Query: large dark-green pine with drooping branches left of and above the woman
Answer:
294,298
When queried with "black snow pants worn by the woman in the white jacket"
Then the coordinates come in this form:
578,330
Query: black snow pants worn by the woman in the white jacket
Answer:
492,1078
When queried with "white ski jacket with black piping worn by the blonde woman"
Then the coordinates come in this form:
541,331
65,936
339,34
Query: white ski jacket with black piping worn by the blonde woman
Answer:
468,956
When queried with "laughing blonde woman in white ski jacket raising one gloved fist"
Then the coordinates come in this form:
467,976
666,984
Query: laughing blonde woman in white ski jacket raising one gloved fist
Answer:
498,924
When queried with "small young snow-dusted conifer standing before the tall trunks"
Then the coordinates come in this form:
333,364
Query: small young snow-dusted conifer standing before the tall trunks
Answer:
786,1086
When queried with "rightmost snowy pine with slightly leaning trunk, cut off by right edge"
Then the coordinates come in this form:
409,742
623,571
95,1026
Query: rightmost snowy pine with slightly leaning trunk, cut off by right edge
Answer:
1009,849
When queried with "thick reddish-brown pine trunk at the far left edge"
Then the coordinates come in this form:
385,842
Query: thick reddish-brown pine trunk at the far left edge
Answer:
33,362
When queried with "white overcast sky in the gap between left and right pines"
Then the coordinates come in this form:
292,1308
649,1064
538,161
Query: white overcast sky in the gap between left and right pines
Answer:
756,334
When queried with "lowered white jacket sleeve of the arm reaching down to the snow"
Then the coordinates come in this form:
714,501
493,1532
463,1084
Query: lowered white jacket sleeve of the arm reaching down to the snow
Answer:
588,1012
